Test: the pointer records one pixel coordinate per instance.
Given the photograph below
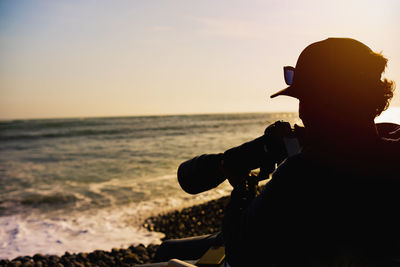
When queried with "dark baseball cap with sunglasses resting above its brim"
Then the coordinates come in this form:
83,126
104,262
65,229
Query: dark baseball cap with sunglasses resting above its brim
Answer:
329,67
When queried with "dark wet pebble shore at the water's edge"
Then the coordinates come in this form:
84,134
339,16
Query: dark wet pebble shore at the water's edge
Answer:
196,220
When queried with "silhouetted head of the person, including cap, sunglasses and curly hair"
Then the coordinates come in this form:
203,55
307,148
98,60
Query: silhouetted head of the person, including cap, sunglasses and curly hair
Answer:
338,77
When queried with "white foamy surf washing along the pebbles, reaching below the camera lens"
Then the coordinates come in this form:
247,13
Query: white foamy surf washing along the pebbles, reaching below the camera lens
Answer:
76,232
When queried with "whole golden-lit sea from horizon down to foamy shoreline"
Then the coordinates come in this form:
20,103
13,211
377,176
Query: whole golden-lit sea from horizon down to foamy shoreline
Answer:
83,184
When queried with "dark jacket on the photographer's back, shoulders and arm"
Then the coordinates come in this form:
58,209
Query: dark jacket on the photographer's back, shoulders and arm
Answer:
320,207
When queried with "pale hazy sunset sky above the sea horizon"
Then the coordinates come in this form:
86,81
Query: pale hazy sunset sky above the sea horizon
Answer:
120,58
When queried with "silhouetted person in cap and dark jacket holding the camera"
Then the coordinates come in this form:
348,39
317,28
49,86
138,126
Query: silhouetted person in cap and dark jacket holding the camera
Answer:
338,201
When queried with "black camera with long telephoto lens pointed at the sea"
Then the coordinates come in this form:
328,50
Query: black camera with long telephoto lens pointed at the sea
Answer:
204,172
